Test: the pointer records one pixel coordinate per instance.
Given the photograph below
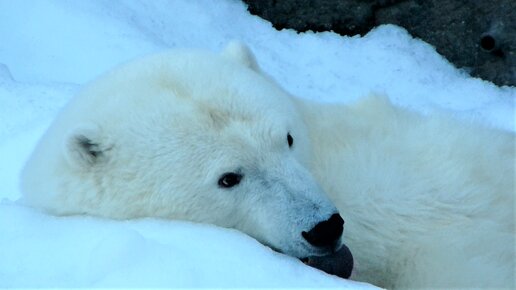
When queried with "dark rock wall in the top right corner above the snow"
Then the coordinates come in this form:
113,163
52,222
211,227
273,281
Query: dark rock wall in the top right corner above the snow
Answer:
479,36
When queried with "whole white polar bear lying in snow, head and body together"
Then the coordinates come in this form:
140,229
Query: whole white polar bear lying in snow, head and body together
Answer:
193,135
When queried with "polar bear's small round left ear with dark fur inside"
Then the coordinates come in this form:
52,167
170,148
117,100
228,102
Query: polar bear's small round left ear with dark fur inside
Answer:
84,147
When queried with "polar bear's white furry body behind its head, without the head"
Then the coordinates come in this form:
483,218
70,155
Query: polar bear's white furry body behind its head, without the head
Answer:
428,201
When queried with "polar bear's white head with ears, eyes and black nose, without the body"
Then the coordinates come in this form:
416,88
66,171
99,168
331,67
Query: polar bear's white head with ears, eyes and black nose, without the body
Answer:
192,136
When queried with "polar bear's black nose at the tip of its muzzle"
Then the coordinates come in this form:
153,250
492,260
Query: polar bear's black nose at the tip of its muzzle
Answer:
326,233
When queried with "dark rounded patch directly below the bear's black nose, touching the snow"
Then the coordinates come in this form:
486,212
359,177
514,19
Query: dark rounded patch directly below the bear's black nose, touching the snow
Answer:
339,263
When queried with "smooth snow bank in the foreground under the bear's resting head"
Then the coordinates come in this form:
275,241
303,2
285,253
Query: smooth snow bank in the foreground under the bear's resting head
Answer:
39,250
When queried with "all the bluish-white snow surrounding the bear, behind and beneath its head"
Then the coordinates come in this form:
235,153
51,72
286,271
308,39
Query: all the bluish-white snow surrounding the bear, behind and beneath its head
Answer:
48,49
